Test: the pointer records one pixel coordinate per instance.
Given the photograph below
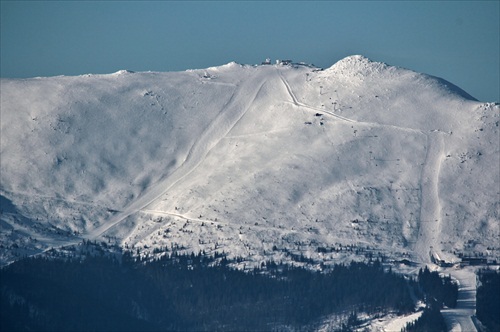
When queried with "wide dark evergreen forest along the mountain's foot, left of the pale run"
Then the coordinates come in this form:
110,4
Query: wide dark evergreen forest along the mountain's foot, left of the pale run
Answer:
188,292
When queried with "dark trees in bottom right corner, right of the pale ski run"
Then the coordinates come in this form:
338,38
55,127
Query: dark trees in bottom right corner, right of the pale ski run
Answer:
488,299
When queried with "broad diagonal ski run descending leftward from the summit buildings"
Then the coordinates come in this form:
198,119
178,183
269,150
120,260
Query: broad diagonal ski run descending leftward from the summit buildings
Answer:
227,118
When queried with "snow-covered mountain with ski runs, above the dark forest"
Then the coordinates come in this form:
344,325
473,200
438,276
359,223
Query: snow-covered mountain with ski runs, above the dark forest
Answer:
263,162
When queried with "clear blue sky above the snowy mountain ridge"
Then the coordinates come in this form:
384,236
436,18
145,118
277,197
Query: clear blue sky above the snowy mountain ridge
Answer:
454,40
